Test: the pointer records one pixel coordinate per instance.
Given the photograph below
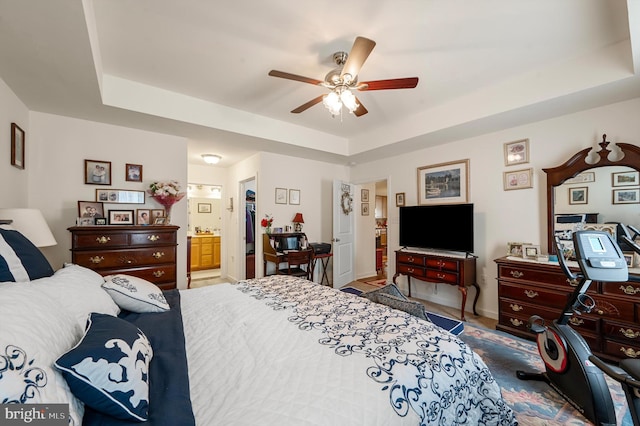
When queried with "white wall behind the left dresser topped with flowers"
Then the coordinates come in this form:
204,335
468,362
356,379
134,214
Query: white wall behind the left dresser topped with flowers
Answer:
59,146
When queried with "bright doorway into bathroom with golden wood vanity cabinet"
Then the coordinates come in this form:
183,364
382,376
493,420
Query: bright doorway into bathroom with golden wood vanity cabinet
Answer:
205,229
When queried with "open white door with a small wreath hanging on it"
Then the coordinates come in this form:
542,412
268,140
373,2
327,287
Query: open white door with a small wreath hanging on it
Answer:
343,230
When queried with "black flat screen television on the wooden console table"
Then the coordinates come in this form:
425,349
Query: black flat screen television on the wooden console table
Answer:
440,227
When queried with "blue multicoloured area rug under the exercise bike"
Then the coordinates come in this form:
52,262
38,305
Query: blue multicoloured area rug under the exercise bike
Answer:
534,403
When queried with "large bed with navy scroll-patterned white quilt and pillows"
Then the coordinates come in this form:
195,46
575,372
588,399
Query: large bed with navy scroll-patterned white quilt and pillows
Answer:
274,350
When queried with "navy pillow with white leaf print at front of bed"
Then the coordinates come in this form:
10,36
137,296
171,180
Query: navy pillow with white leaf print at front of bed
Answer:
109,369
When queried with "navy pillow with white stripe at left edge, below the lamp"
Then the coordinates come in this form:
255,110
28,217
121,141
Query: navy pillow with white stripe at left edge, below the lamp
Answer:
20,260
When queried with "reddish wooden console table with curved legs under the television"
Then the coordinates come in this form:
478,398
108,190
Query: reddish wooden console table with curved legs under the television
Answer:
434,268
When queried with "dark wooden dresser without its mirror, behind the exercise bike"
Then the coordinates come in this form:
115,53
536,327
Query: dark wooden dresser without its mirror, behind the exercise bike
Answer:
612,329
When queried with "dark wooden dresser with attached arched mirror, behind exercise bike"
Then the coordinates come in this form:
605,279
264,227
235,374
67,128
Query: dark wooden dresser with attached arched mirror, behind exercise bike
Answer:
527,288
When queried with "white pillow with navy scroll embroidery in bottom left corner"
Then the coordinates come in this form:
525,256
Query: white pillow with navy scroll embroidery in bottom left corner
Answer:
35,331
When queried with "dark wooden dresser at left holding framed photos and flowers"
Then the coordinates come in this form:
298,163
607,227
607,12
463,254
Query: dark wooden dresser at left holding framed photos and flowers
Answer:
147,252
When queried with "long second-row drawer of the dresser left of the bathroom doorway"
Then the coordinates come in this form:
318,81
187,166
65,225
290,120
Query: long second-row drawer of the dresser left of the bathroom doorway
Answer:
98,259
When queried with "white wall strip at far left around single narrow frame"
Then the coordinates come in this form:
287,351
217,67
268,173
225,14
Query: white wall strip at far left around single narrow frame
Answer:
12,110
